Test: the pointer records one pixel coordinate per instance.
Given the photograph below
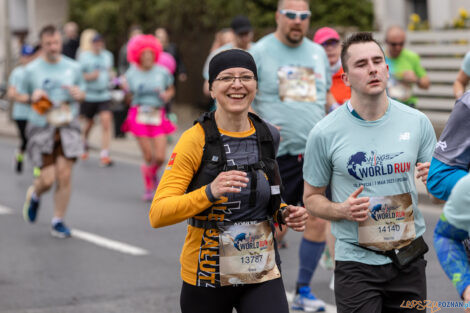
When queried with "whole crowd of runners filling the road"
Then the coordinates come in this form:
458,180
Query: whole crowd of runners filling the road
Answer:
318,135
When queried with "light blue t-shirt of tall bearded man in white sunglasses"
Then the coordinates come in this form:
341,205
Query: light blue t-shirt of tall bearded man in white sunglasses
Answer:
292,87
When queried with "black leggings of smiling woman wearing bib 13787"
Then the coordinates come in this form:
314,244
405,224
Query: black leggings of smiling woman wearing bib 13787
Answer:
269,297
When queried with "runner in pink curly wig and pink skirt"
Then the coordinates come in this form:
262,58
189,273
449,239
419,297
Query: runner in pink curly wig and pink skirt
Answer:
151,86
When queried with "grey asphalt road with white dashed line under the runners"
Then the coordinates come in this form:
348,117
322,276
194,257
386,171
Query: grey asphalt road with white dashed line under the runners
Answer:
116,262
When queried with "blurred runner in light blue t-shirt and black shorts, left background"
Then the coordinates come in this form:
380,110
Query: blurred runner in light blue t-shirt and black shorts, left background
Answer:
97,68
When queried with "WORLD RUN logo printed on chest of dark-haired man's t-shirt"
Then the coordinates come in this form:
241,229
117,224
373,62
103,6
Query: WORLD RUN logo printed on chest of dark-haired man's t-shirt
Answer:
366,165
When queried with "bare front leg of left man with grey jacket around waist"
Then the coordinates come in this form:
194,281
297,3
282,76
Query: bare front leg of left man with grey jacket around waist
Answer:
64,186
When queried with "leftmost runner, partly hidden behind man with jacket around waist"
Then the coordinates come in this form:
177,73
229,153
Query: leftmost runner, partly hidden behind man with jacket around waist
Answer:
21,110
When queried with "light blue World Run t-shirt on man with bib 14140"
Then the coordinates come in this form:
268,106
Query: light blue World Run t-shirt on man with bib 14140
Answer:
381,155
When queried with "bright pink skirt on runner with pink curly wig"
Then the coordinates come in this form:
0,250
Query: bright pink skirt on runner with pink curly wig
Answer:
144,130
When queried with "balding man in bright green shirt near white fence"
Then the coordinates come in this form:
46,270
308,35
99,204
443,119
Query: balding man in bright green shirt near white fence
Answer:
405,68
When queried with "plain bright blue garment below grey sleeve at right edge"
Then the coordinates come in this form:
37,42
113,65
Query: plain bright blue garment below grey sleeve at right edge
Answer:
442,178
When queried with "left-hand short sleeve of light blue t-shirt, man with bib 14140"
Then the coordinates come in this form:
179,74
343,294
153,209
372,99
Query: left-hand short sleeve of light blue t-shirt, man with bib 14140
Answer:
317,166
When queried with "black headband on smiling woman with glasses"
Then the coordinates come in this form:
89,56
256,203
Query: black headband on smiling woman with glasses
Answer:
230,59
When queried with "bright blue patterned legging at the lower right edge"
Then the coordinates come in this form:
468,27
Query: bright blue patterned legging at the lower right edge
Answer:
451,253
